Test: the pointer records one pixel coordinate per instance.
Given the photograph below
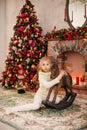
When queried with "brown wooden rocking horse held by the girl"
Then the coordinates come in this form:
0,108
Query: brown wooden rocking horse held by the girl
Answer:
66,83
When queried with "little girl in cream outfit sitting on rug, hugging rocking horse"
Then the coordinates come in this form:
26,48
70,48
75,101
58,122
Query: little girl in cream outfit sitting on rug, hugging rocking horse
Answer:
45,83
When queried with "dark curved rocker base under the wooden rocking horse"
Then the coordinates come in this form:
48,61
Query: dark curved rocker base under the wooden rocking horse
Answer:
66,102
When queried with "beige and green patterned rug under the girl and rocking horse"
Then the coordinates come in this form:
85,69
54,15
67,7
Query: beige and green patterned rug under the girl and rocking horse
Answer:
72,118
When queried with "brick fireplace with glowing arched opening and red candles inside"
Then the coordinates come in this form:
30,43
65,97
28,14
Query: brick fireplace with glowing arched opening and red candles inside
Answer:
76,58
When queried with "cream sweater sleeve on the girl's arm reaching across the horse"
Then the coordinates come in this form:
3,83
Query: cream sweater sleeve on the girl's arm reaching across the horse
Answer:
47,84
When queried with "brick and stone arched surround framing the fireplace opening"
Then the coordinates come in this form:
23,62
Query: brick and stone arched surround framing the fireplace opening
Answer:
79,46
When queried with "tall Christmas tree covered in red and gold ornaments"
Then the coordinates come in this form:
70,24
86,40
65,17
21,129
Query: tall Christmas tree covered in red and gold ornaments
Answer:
25,50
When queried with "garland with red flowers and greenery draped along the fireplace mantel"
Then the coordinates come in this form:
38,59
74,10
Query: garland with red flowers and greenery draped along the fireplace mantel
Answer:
68,34
